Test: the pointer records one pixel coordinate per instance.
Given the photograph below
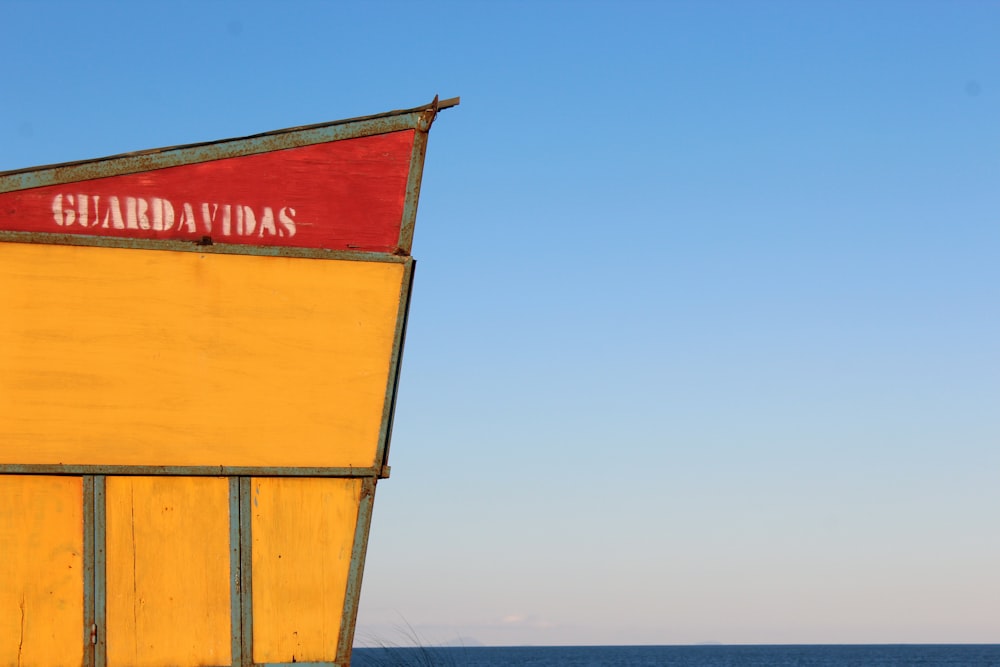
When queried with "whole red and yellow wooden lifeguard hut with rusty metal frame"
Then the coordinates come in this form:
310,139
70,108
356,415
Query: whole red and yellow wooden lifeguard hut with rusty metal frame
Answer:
216,402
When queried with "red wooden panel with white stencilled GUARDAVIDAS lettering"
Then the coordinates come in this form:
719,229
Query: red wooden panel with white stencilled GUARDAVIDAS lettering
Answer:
339,195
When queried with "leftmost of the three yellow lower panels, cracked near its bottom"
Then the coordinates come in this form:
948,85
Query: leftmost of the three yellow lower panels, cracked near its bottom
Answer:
41,571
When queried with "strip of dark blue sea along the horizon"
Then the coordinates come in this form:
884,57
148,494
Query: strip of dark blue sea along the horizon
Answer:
928,655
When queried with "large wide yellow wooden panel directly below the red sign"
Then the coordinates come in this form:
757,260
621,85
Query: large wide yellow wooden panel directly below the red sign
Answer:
148,357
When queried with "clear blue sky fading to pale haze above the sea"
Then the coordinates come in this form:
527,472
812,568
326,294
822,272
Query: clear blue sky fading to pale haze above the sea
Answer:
705,343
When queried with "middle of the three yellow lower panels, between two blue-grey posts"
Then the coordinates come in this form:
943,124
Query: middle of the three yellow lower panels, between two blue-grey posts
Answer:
168,571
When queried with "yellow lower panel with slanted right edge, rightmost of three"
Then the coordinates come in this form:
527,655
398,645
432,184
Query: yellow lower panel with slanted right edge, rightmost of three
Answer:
303,533
